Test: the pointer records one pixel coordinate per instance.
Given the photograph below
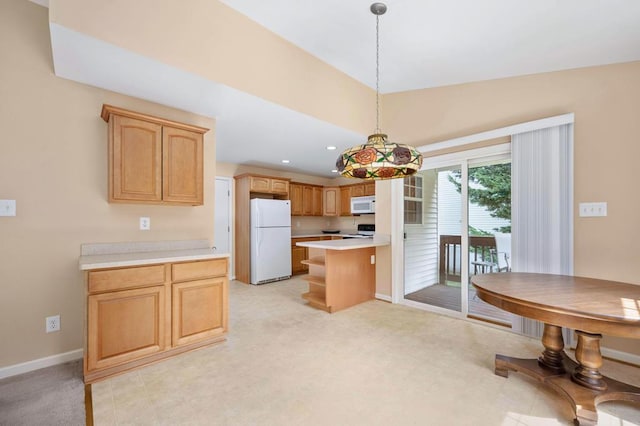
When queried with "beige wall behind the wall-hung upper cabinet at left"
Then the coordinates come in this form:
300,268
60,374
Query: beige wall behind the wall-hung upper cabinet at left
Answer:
53,163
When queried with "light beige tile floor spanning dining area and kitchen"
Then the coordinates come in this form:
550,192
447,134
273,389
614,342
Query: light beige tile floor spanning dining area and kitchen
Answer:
285,363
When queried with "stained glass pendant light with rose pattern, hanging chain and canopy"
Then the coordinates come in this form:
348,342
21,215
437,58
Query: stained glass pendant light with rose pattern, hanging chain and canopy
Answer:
379,158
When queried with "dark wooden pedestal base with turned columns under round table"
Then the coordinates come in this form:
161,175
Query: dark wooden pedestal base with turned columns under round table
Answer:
560,376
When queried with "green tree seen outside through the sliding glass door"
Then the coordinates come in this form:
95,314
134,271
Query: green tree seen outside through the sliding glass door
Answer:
490,187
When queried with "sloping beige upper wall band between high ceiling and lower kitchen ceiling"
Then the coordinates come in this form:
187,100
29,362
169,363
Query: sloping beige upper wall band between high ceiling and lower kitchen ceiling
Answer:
211,40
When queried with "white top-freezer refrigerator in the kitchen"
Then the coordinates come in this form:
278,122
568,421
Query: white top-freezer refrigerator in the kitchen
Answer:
270,240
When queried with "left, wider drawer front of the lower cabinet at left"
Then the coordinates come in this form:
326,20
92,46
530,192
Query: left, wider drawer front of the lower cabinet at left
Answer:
123,278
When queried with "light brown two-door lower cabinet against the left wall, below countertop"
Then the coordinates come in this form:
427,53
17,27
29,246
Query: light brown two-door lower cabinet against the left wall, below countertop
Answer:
141,314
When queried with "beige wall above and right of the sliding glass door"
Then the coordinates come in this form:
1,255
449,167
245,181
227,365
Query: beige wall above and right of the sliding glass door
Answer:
606,103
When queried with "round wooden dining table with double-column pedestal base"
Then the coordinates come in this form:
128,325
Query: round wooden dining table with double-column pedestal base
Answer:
590,306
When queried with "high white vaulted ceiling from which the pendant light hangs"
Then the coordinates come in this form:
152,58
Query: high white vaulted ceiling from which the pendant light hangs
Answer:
429,43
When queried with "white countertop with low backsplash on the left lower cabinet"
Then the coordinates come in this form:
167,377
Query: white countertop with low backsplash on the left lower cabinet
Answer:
114,255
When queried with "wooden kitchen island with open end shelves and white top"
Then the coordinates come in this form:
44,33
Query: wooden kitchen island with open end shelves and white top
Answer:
342,273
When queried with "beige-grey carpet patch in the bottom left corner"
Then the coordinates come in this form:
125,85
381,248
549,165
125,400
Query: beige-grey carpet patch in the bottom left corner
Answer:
49,396
